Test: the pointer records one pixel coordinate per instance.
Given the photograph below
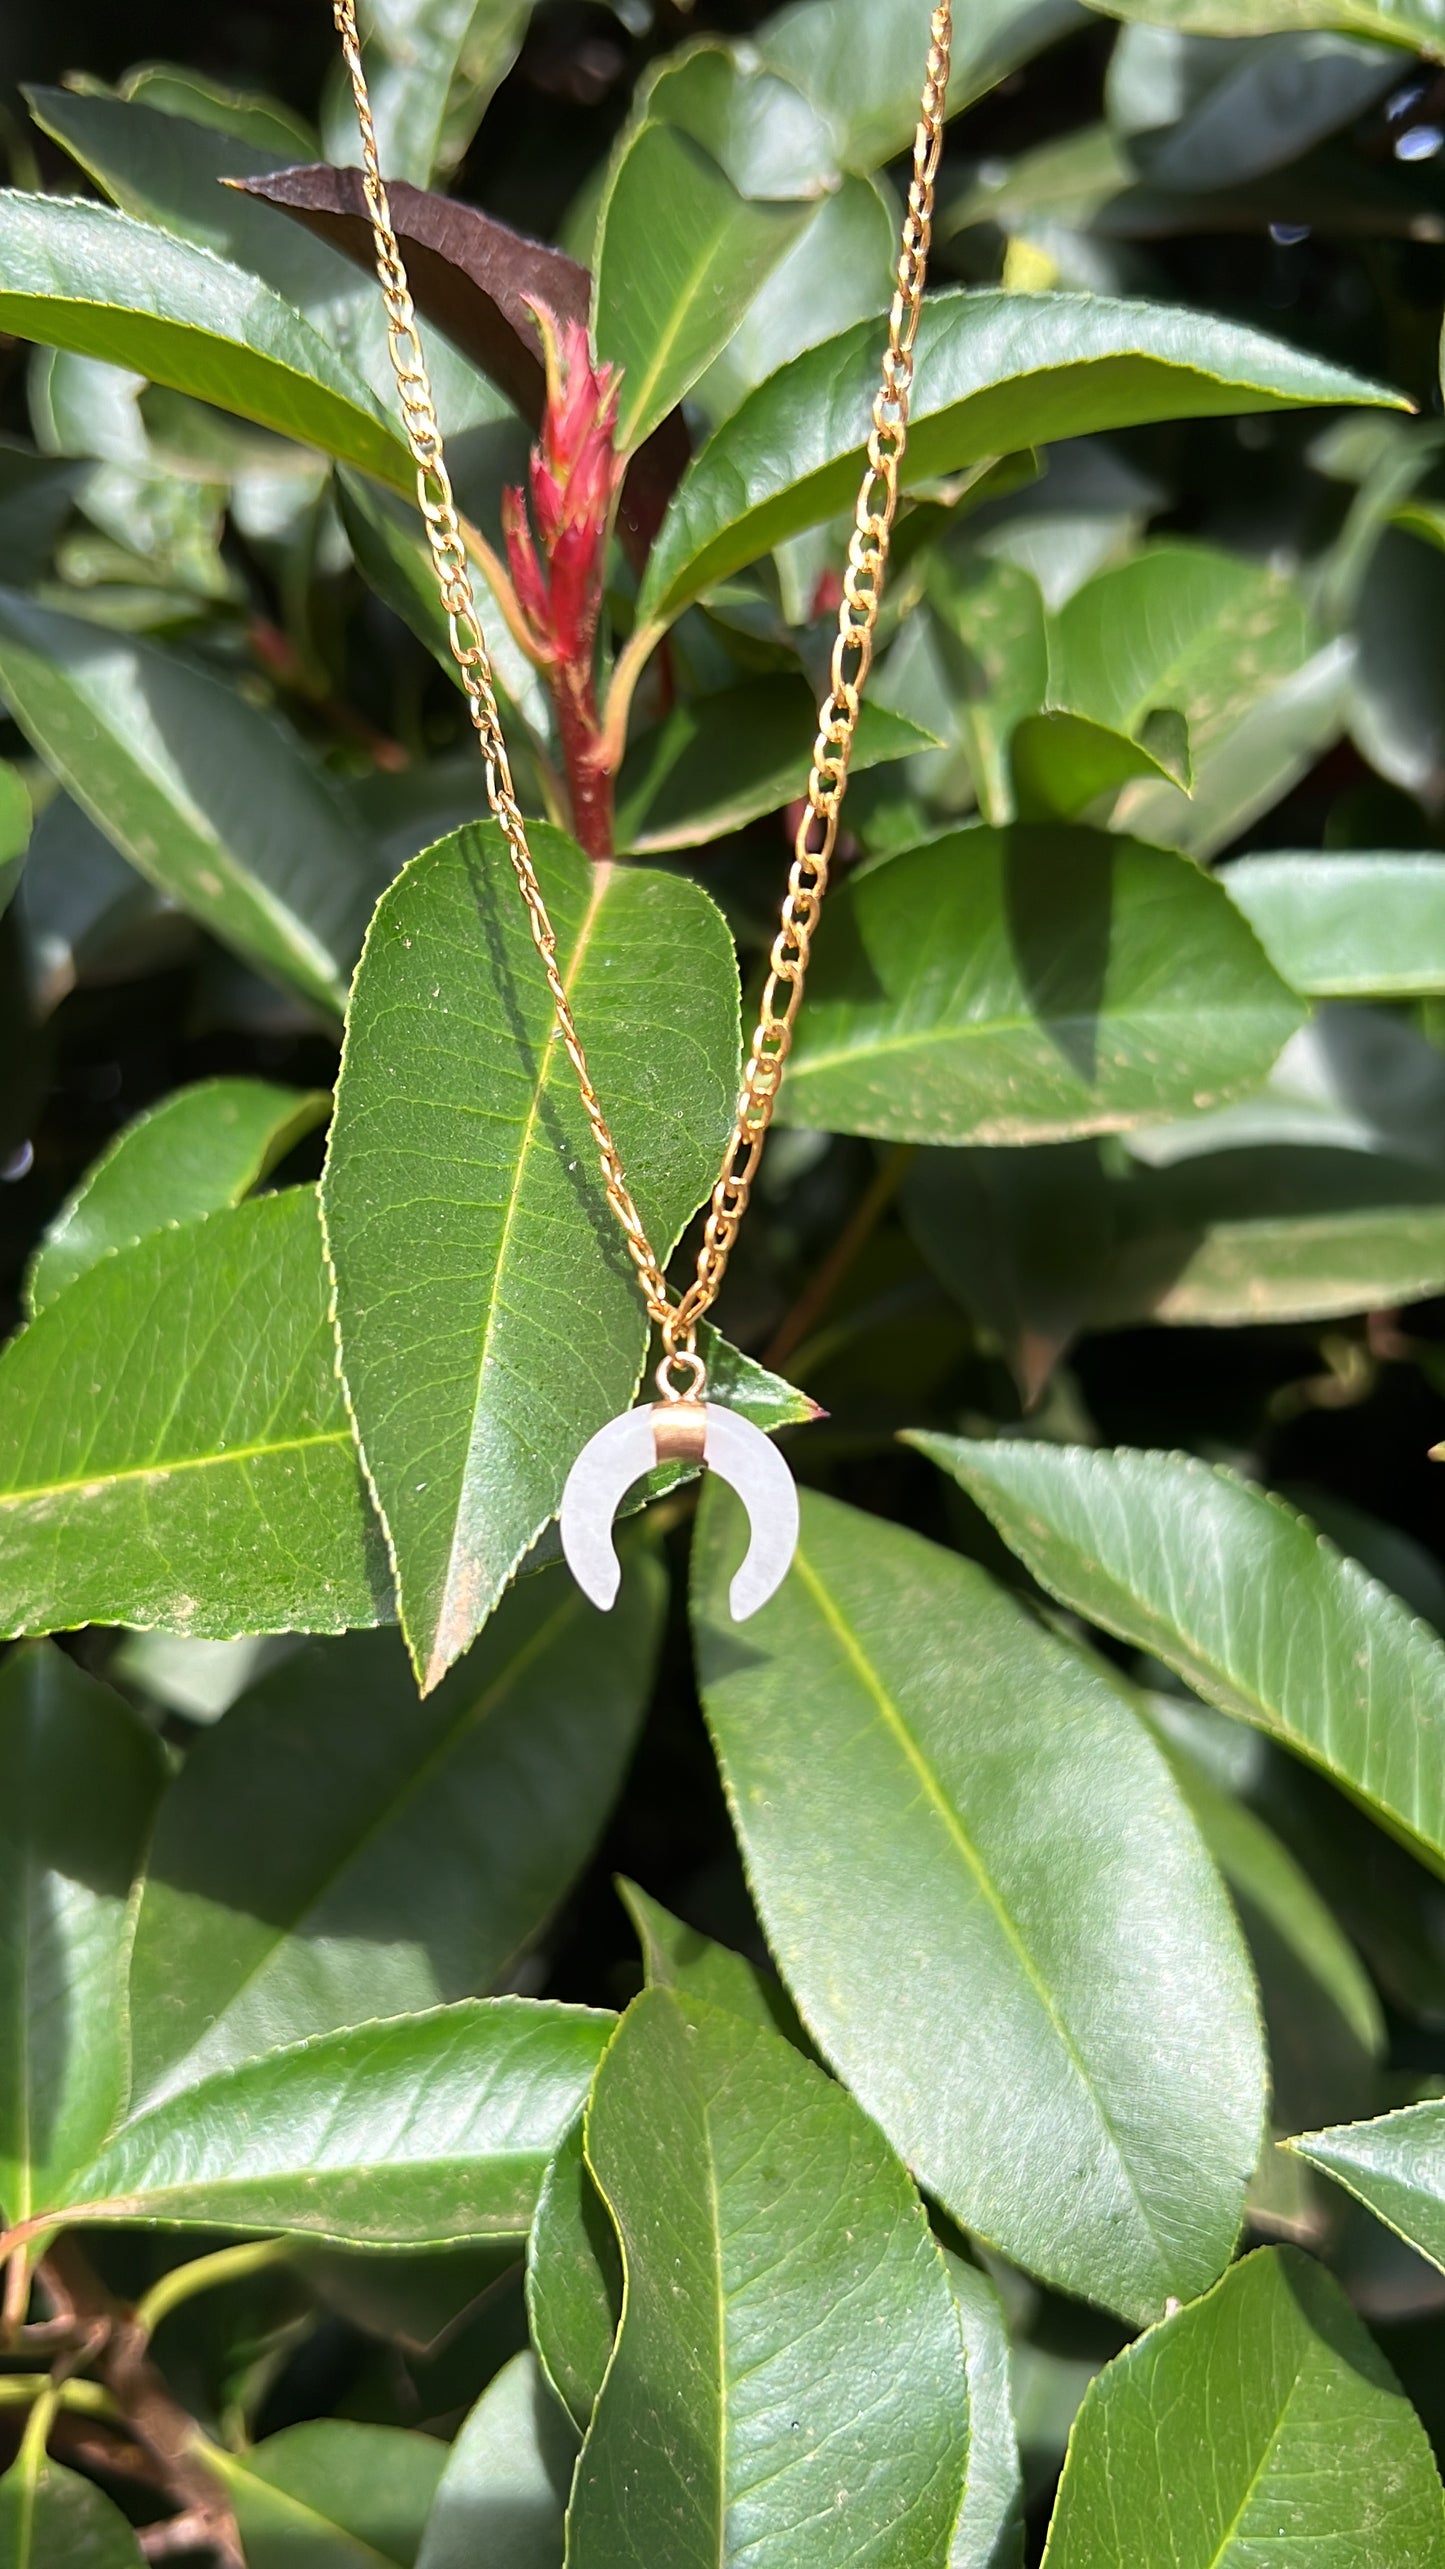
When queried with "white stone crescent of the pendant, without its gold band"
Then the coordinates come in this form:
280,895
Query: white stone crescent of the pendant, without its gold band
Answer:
737,1450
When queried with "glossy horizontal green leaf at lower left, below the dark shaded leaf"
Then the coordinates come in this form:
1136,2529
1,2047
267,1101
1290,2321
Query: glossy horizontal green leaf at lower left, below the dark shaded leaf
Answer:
408,2134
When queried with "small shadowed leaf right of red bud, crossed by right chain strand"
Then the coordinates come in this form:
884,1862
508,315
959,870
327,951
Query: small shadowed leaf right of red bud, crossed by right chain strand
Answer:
721,762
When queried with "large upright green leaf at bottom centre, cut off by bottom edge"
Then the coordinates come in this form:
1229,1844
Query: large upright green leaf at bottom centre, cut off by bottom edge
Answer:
742,2424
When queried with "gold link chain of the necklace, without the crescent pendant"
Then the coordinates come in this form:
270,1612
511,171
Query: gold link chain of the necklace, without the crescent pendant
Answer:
837,718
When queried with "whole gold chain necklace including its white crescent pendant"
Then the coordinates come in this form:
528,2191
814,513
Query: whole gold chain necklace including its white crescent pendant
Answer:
683,1425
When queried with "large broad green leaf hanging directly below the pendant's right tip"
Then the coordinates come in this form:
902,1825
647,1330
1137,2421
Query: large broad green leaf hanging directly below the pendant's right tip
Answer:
901,1743
